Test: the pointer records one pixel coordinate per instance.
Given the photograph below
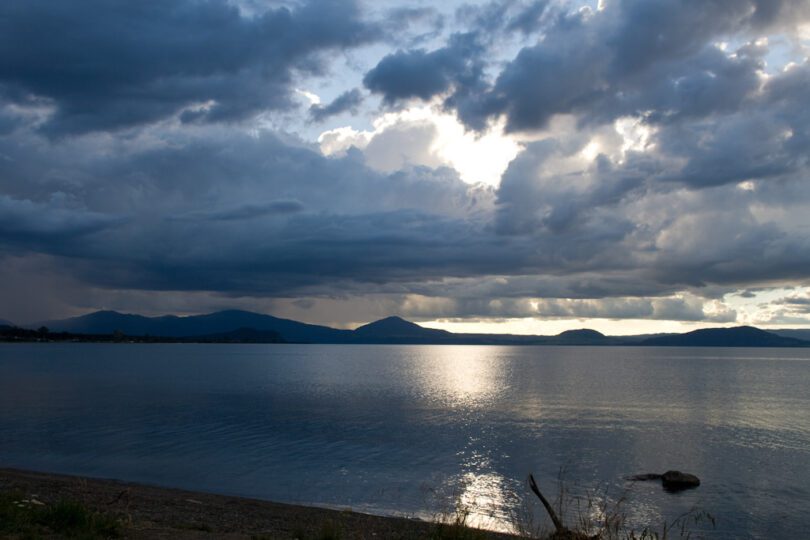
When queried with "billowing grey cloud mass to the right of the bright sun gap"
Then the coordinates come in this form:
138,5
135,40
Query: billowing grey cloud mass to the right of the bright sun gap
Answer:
673,237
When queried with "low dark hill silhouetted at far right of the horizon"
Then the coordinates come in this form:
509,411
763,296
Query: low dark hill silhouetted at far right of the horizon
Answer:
741,336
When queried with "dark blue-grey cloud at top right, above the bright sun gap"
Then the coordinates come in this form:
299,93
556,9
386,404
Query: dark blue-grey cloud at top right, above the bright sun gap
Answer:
634,58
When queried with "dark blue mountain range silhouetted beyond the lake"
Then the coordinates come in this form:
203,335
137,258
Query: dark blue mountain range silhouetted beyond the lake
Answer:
245,326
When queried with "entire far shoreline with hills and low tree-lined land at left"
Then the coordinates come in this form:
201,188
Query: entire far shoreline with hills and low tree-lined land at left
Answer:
265,329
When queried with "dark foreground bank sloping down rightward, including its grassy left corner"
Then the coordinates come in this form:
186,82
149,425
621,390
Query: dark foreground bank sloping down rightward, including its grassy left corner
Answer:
56,505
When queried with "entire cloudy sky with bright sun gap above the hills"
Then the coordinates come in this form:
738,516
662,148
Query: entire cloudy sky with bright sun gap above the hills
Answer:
631,166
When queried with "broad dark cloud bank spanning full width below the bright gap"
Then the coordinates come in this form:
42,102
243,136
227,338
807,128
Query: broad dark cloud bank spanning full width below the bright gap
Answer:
220,213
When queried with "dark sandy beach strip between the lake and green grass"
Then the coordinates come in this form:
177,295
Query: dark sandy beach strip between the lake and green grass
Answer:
152,512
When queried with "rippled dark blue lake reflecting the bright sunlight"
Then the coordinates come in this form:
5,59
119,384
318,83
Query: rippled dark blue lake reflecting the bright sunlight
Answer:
412,430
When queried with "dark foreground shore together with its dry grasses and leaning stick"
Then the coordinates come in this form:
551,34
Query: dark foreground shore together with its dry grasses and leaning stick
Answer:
37,505
